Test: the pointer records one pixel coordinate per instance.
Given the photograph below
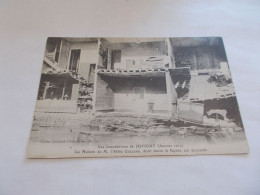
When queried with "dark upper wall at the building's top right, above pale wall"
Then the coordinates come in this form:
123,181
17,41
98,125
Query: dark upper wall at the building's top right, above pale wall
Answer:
200,53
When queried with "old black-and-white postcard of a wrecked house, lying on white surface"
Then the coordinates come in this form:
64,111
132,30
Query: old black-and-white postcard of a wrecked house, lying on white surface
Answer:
108,97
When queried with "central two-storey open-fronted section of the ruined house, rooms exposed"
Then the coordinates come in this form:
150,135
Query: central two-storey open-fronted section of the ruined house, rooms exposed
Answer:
138,75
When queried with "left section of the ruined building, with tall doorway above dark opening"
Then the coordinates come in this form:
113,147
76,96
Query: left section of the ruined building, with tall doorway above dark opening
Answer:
67,78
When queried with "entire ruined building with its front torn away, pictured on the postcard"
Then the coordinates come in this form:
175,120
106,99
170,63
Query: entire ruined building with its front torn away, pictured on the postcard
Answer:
184,78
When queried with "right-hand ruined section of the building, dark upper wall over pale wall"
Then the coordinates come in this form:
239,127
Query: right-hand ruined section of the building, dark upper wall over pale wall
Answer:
211,84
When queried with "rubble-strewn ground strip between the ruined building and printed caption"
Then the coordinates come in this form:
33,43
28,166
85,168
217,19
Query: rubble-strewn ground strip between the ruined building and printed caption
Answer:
85,128
